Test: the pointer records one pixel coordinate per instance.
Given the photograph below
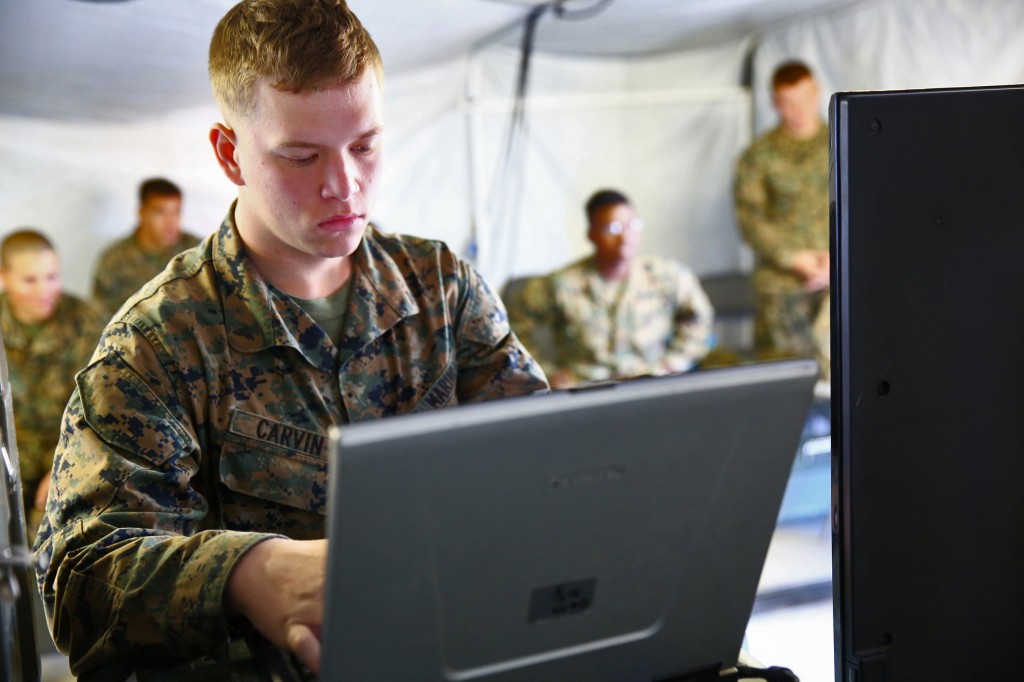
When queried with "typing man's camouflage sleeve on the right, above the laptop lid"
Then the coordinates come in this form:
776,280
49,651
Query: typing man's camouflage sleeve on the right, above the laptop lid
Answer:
492,361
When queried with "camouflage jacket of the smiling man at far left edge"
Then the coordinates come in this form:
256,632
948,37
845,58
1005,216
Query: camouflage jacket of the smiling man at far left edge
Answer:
42,367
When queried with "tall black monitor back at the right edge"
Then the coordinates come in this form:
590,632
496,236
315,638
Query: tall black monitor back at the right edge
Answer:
928,383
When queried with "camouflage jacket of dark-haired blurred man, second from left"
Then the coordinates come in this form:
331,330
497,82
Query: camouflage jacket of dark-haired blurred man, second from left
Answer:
124,268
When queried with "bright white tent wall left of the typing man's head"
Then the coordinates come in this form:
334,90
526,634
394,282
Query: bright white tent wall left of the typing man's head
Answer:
78,183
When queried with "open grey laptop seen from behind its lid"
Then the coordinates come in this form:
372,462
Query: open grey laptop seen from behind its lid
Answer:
615,534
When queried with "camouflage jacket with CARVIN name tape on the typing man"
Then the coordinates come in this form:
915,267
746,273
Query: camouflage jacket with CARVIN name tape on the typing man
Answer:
207,408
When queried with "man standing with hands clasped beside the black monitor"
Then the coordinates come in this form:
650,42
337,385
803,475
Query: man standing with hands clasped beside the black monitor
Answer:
782,194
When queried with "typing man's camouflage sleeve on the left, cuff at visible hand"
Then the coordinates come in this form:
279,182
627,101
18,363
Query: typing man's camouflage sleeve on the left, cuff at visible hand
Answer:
133,572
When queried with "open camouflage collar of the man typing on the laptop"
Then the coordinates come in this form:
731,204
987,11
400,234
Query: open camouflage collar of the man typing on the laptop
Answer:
258,316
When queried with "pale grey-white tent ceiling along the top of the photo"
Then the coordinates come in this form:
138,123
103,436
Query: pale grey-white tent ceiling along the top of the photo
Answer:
63,60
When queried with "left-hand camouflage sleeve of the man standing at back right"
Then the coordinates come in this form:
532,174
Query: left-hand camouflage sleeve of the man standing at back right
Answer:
754,214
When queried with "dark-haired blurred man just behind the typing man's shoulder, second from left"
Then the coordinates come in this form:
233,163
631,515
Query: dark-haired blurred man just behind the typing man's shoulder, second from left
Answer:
131,263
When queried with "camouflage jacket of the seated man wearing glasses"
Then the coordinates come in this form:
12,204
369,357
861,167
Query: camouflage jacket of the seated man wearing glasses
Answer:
658,321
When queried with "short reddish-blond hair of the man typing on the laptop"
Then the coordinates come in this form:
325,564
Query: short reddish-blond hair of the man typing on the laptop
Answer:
298,46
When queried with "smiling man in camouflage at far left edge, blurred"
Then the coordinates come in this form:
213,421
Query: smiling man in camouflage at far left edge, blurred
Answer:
49,336
